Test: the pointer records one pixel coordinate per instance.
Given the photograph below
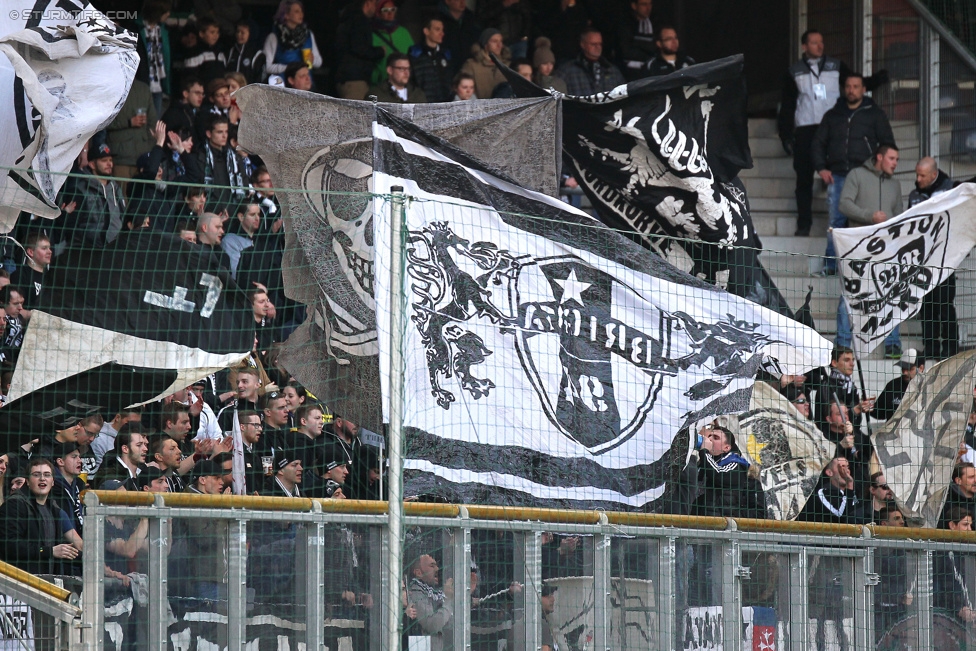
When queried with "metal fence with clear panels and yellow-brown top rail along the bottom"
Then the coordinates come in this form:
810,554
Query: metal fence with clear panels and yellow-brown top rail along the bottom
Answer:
632,581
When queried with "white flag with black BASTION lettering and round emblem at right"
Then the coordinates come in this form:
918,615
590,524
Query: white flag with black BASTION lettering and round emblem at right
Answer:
888,268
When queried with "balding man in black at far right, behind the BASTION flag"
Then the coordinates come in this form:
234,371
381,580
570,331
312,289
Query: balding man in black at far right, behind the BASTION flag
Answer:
940,329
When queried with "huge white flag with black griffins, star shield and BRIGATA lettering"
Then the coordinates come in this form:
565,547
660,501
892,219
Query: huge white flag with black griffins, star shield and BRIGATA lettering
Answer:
549,360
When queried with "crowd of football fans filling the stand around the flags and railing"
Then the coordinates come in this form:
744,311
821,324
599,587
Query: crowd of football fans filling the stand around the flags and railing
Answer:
179,125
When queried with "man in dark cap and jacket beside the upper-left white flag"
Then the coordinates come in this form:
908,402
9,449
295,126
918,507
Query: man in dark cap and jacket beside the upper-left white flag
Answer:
97,219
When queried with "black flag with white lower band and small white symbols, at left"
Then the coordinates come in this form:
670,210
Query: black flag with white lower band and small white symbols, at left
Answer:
148,300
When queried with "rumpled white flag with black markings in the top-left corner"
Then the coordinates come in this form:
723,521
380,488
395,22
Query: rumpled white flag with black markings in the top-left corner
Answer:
66,72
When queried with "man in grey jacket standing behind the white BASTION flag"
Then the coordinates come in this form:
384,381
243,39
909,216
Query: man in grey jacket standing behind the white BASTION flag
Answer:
871,196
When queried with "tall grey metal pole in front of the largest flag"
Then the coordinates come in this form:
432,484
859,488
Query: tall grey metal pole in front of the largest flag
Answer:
395,512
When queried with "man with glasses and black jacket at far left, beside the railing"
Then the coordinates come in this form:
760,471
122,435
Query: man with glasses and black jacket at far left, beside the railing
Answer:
31,533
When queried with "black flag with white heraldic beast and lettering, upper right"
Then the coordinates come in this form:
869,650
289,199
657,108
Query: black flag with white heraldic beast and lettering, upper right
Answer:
661,157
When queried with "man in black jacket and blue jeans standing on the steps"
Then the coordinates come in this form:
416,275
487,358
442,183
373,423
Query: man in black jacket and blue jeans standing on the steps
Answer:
848,135
